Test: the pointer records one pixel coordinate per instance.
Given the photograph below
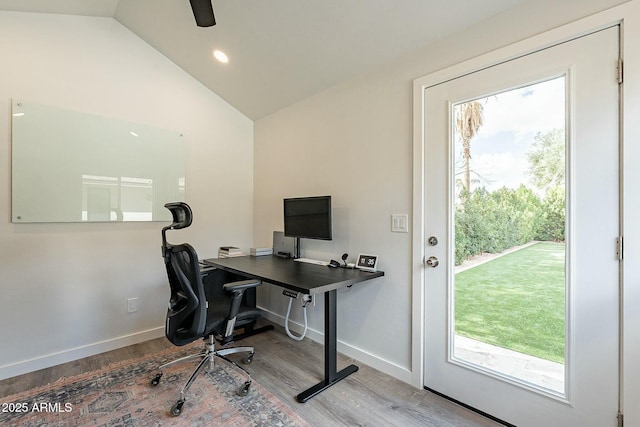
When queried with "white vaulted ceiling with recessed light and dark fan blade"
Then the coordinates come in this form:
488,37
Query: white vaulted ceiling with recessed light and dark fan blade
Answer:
281,51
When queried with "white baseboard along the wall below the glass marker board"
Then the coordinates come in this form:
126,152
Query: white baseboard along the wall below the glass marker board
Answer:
48,360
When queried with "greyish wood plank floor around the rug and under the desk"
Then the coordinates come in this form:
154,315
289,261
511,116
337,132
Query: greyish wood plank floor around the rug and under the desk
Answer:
286,367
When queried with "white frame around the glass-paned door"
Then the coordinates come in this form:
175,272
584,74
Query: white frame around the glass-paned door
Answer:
628,17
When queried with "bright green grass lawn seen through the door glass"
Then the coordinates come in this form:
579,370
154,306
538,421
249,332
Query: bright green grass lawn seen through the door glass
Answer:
516,301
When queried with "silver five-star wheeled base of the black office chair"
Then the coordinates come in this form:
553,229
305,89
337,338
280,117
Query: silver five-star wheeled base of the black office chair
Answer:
207,363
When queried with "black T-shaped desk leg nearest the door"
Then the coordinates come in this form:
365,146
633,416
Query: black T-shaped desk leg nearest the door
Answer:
331,376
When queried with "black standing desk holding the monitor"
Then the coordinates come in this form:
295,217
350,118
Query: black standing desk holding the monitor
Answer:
309,279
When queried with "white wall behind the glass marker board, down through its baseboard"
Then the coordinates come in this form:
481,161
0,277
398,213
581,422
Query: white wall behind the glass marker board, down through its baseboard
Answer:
64,286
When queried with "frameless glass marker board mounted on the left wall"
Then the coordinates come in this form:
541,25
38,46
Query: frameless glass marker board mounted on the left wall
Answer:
69,166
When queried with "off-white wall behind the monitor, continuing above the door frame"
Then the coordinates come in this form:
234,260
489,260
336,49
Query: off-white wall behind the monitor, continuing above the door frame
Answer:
354,141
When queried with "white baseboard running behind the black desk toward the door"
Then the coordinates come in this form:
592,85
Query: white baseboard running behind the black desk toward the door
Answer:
376,362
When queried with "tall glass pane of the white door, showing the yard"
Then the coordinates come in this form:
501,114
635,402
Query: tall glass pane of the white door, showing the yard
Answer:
509,219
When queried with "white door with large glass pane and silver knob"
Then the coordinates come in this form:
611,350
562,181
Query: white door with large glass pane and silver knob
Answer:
521,219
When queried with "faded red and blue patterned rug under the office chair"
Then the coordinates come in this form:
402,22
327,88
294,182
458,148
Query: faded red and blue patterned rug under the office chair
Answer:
121,395
